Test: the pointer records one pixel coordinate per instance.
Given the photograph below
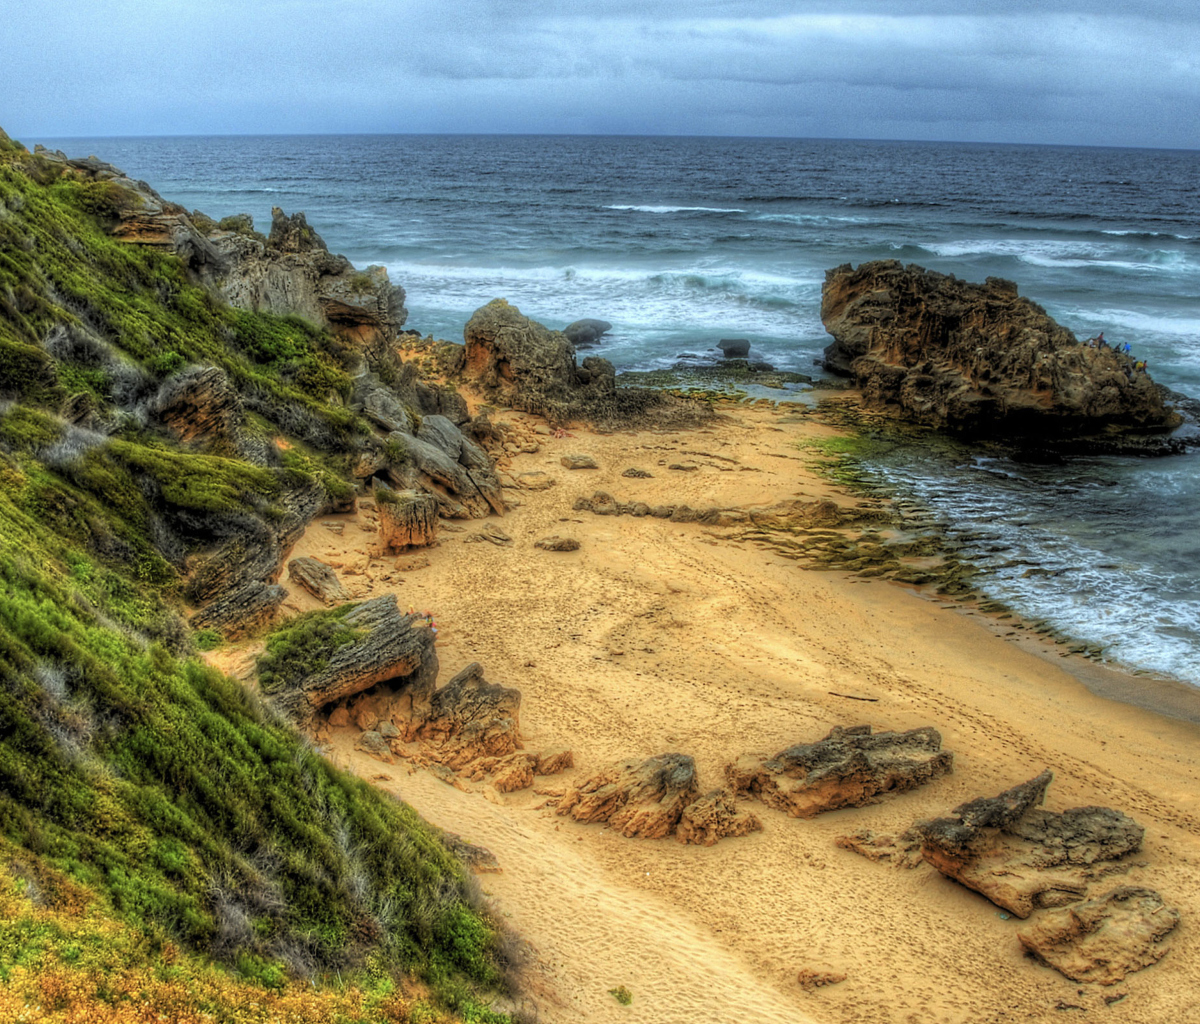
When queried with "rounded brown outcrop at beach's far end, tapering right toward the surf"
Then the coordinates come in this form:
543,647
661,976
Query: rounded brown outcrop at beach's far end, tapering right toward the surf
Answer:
521,363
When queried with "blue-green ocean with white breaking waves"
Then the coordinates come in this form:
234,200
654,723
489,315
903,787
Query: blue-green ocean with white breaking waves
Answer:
683,242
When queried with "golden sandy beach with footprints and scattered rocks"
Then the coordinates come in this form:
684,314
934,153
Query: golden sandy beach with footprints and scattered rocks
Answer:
659,637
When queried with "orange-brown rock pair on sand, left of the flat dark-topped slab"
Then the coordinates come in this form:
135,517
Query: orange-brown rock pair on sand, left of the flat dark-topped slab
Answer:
656,799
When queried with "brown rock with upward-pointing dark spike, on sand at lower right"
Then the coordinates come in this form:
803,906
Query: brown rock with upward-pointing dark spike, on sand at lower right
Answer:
1022,858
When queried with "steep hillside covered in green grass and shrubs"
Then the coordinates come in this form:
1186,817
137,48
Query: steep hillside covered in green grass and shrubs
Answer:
153,812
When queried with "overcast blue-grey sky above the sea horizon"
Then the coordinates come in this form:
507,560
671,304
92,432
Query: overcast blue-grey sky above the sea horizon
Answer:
1100,73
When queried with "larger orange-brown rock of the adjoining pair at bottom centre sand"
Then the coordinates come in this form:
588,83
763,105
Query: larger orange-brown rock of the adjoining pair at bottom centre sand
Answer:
644,799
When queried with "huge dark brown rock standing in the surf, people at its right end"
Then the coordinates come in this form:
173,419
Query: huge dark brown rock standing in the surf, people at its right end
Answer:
977,358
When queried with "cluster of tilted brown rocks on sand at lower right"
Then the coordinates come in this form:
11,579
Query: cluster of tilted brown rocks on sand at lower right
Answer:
1025,859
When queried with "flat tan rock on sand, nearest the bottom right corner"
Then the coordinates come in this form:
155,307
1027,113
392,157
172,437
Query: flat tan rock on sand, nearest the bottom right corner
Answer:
1106,939
